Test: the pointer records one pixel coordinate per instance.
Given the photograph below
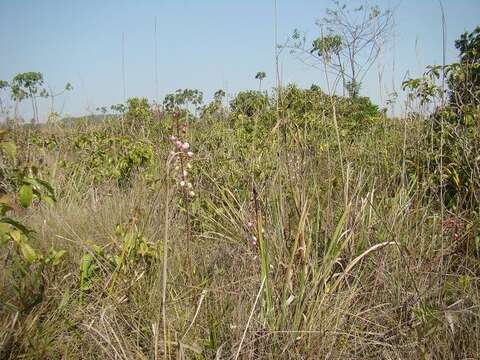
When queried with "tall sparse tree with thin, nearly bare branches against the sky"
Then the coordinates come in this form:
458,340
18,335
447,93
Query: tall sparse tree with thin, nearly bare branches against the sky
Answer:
350,42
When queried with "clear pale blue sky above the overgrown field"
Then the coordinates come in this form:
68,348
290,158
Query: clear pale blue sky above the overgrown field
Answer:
208,44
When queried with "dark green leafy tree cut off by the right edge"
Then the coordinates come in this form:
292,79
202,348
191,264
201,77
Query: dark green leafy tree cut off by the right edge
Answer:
449,160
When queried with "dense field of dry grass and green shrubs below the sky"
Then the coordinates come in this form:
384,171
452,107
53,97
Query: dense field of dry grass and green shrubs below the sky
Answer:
219,231
